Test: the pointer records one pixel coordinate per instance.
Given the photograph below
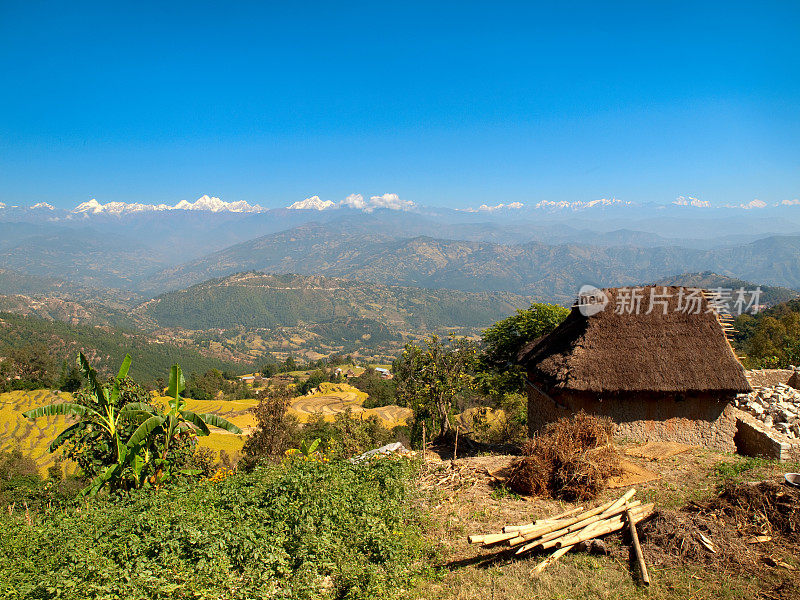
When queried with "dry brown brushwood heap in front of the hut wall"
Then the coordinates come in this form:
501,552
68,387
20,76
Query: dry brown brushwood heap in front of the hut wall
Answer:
570,459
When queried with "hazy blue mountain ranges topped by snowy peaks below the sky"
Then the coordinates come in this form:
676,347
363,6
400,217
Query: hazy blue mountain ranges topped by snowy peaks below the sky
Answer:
545,251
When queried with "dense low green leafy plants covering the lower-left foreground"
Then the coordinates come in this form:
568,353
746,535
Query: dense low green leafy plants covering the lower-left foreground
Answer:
301,529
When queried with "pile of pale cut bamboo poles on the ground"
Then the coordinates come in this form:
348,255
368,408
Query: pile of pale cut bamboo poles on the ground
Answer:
565,531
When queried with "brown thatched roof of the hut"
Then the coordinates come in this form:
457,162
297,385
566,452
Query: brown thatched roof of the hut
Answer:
609,352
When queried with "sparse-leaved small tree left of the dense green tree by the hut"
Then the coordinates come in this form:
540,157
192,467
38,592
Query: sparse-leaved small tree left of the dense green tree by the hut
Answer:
430,379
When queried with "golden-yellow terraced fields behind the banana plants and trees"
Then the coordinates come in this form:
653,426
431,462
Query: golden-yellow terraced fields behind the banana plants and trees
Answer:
33,436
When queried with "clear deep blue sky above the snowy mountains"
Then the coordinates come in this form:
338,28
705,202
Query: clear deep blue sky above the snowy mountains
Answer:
449,104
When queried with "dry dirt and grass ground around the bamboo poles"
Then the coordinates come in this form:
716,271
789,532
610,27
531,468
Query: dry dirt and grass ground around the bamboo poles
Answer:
464,497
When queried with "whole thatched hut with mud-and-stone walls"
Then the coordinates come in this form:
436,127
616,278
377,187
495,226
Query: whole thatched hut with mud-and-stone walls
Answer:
664,374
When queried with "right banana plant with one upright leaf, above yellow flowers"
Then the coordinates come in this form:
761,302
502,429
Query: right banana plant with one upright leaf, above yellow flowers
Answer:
176,420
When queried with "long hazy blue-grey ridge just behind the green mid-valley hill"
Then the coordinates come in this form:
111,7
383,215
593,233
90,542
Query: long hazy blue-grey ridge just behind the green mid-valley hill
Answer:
545,271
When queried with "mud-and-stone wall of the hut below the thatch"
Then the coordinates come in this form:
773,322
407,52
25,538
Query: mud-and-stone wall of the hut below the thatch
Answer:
705,420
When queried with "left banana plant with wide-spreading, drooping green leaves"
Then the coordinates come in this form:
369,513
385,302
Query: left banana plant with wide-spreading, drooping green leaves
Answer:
106,413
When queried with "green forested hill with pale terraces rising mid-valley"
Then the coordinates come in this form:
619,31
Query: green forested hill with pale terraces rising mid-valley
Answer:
257,300
